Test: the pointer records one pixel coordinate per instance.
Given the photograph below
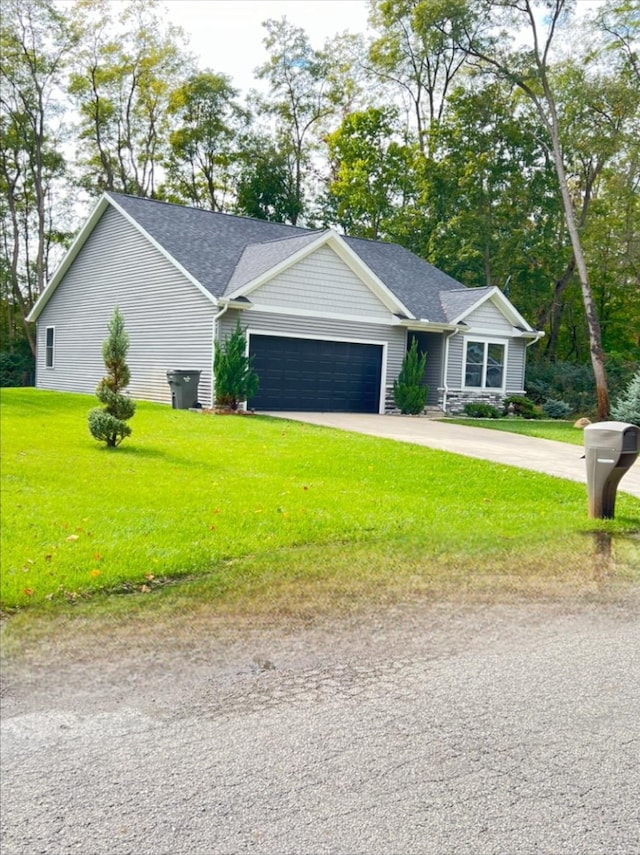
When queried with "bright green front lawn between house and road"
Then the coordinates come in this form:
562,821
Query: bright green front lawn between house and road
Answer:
266,515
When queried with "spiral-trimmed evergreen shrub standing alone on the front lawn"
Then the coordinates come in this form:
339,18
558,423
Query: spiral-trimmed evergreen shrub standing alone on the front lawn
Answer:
108,424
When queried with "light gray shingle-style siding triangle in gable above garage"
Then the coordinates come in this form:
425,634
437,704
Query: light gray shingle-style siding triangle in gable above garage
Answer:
321,282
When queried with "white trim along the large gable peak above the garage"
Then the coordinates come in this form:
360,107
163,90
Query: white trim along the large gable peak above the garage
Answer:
346,254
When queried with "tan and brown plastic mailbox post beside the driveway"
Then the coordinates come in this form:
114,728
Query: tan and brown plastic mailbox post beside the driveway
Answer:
611,449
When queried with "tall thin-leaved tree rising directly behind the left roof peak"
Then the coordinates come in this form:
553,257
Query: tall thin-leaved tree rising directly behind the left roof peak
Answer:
124,73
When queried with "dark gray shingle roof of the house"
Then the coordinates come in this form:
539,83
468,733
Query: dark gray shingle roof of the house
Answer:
222,252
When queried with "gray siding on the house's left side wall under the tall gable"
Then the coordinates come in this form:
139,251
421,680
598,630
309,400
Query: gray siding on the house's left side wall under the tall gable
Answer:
169,321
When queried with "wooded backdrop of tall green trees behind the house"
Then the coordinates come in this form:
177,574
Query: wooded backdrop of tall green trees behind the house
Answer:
498,139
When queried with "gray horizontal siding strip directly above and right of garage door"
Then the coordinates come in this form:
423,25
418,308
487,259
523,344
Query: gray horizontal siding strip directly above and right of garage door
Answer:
322,328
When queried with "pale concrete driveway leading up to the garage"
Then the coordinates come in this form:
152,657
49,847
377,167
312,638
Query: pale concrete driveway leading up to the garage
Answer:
541,455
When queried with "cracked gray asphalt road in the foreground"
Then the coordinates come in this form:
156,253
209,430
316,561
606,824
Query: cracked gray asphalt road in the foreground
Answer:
443,729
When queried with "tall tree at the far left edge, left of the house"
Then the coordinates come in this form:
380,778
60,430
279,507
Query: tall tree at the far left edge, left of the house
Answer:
35,44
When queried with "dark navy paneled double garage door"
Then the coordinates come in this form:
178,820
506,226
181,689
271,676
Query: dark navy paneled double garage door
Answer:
310,375
